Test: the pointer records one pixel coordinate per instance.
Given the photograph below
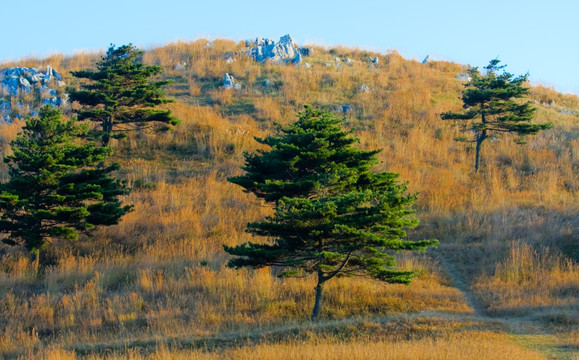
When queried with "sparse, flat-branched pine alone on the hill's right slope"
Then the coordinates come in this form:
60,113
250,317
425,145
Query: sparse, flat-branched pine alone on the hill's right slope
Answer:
491,107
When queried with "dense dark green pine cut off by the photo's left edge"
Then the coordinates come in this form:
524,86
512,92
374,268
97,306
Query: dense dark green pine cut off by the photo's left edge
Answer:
57,187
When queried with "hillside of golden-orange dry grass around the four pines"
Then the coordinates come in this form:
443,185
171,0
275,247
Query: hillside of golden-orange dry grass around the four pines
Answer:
502,284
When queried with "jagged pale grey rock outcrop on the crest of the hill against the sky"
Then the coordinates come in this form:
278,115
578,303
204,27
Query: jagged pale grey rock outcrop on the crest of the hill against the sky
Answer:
284,51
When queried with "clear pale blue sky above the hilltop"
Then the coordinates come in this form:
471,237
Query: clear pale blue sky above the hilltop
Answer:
539,37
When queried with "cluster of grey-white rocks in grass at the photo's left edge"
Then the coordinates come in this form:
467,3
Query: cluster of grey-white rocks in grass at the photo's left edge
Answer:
40,86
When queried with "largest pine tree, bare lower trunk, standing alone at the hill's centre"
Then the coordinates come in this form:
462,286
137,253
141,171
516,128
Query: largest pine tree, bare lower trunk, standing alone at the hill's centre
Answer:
333,215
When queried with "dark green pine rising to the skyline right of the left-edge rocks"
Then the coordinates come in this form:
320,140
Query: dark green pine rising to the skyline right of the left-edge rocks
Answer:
120,94
